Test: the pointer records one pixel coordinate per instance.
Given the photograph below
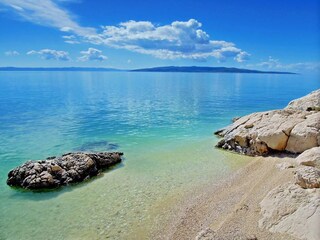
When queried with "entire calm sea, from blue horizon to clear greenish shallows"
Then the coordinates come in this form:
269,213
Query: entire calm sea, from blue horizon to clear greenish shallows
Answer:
163,122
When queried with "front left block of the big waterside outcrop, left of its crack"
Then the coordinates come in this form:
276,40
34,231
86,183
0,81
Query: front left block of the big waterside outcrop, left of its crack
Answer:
260,133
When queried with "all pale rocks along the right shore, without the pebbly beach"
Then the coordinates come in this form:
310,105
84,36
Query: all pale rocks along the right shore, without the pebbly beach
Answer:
291,207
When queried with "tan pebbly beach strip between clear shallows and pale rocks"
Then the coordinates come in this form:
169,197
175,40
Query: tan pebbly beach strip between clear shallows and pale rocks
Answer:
230,209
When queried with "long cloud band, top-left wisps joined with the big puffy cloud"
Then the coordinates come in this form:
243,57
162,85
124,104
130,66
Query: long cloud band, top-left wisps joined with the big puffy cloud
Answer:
180,39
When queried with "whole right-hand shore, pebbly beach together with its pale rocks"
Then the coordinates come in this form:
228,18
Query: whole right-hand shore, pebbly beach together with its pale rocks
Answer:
276,195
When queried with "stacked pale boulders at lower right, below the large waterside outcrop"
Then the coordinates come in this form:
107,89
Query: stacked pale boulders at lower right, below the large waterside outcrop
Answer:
294,208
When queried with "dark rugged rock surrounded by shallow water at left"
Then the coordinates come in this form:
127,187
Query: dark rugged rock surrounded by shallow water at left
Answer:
57,171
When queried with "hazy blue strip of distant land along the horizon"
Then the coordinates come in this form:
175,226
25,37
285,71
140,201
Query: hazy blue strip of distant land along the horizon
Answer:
190,69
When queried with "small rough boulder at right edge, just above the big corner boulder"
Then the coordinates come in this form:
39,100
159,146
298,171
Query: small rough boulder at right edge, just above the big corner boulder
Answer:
308,177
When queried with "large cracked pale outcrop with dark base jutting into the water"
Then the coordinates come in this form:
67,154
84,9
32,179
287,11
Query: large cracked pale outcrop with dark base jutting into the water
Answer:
291,129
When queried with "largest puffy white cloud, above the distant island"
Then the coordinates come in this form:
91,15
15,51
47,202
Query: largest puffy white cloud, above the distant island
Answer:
176,40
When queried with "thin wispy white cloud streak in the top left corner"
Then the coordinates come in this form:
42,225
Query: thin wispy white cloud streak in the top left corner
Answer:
47,13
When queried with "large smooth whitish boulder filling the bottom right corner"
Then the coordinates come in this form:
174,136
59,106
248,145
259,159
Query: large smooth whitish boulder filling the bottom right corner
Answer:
293,210
